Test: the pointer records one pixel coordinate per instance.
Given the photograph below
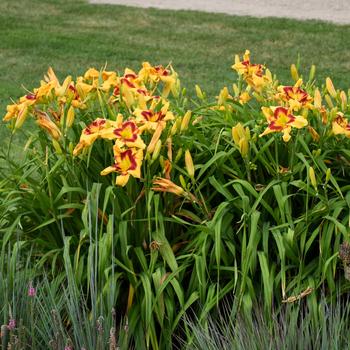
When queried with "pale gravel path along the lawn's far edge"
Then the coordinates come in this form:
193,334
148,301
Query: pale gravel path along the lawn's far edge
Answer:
337,11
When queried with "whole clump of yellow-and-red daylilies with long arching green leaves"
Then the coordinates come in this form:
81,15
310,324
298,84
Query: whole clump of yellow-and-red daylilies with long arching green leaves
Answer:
253,190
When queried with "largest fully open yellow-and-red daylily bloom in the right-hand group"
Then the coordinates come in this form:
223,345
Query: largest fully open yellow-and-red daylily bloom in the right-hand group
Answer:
281,120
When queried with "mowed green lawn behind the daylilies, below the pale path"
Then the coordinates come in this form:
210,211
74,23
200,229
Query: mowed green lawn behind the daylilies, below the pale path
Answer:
72,36
